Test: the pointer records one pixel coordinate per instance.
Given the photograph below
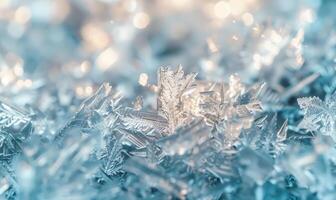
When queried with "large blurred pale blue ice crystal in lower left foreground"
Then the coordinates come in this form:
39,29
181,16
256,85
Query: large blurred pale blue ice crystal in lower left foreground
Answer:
43,174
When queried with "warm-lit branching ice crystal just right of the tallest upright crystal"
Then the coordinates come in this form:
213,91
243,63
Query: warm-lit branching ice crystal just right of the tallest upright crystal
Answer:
230,108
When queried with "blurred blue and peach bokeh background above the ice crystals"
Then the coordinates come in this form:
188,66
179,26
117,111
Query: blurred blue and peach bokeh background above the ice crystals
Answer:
68,47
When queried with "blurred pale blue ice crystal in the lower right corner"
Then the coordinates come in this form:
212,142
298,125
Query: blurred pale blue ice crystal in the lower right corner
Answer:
311,166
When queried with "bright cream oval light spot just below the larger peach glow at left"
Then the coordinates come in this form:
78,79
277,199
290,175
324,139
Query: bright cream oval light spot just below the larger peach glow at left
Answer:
107,58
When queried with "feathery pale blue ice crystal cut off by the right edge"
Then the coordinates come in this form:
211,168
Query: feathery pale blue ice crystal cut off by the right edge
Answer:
319,115
